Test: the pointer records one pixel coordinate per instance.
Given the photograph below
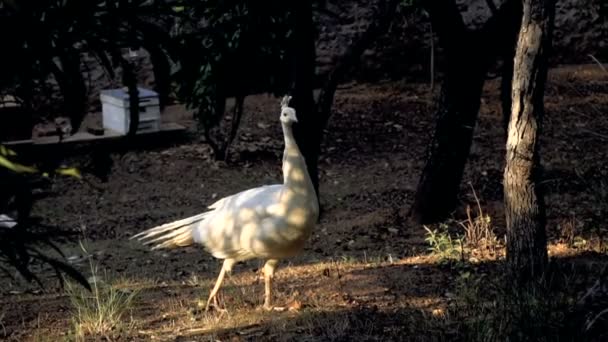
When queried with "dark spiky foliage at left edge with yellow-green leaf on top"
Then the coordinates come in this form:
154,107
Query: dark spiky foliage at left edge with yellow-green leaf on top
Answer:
21,240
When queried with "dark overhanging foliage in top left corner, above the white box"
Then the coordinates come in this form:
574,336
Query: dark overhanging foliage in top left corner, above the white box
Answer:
46,40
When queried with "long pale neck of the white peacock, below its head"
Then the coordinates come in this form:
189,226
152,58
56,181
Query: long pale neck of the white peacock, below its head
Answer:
295,172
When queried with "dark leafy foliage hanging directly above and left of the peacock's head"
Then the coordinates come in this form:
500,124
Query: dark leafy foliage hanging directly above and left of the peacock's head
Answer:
238,48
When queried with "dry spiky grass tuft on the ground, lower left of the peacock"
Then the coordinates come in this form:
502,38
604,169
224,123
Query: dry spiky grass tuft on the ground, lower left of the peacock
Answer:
101,311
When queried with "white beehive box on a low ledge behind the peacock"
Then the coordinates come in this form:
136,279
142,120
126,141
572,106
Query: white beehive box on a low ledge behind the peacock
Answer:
115,110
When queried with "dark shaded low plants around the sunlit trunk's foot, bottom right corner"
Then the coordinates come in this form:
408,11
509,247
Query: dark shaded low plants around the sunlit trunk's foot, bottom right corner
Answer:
494,309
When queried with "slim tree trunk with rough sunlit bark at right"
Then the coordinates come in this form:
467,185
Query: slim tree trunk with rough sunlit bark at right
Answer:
524,204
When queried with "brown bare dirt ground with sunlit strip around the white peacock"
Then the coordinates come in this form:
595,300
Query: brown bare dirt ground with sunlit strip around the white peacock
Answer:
367,273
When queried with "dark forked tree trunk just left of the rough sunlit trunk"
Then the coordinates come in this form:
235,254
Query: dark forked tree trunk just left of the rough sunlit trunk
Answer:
468,58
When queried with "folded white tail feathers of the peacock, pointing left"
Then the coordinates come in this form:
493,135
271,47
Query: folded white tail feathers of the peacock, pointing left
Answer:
170,235
